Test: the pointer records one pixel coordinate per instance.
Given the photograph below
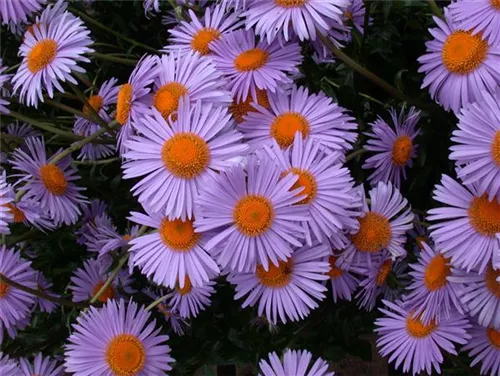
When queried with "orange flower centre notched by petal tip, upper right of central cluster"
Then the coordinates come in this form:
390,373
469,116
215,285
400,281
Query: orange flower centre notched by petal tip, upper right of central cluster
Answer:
285,126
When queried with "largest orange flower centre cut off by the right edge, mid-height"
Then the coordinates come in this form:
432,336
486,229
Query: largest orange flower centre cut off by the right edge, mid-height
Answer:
484,215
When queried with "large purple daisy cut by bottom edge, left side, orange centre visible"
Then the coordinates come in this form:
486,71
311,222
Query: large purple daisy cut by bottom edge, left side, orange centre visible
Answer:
117,339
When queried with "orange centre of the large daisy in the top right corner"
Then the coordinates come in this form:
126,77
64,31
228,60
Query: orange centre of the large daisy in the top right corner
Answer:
463,52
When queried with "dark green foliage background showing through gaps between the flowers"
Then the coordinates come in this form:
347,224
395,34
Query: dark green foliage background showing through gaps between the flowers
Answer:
225,333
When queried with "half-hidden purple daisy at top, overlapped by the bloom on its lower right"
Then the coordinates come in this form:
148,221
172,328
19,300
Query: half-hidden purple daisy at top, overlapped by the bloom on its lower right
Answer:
197,35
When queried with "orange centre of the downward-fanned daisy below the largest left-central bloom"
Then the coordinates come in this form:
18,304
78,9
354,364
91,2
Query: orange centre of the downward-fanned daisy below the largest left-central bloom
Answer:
178,235
